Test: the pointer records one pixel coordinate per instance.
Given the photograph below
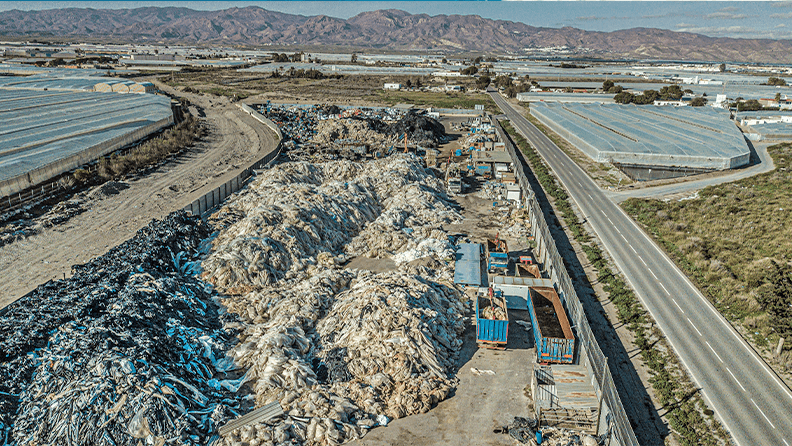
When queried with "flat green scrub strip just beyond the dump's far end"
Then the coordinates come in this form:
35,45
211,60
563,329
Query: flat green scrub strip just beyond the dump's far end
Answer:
434,99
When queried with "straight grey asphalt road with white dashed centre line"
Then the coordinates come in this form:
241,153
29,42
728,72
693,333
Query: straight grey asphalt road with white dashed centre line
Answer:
751,401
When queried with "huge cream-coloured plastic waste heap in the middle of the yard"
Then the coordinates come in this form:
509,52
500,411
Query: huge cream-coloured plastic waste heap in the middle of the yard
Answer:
341,350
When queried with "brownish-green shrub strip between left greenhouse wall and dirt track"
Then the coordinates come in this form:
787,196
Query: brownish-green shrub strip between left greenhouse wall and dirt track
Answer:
152,151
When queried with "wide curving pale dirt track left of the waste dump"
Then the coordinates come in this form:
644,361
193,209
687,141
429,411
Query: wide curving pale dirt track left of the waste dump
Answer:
234,141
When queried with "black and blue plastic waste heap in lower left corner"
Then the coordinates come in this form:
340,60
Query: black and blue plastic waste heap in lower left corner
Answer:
127,351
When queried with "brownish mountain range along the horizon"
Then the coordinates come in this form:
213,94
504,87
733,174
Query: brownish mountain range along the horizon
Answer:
383,29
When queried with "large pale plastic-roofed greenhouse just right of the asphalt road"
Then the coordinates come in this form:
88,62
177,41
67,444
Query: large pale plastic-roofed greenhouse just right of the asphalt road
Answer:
649,142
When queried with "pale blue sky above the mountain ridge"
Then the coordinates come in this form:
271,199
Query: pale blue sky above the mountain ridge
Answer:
742,19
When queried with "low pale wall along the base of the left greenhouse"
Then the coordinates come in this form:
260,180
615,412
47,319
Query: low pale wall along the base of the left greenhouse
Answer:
21,182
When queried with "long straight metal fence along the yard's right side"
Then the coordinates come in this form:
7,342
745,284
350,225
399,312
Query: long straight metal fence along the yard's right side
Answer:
590,354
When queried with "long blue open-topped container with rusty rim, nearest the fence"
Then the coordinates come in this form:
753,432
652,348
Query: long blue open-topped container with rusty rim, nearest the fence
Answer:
555,342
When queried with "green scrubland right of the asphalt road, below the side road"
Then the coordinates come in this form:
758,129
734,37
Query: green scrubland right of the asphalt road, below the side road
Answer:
735,242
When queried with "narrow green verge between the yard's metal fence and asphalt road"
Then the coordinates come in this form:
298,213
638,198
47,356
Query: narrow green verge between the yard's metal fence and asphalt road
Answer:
672,386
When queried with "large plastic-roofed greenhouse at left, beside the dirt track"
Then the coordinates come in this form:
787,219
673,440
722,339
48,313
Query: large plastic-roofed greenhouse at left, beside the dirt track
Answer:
49,132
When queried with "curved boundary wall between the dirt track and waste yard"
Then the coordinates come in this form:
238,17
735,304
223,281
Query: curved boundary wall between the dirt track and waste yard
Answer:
211,199
